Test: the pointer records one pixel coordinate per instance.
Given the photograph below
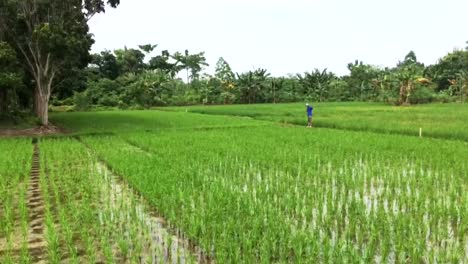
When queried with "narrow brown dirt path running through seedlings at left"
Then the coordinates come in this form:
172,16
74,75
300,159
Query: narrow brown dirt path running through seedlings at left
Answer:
36,243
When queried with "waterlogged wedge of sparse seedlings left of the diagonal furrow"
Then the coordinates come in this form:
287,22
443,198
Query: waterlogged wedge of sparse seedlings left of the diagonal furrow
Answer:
147,235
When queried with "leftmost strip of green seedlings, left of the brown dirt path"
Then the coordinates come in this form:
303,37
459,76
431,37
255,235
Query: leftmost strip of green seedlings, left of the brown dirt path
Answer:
15,165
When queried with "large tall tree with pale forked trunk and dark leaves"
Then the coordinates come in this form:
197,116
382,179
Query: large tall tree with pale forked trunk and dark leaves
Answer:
52,36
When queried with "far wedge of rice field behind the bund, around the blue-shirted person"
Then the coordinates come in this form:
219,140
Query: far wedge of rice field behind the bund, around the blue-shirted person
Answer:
436,120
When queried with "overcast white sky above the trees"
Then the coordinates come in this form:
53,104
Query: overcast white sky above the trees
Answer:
288,36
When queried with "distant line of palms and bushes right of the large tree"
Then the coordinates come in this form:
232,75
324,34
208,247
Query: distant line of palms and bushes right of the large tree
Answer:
125,78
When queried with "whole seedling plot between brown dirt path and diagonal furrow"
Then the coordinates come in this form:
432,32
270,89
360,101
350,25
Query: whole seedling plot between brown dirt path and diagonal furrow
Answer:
92,217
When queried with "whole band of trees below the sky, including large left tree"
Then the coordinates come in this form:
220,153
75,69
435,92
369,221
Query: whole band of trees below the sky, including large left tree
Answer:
45,60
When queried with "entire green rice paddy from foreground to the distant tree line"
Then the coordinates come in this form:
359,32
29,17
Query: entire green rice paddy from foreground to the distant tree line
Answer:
217,185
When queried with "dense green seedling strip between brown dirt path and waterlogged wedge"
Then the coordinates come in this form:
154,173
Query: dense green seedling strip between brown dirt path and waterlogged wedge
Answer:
71,196
